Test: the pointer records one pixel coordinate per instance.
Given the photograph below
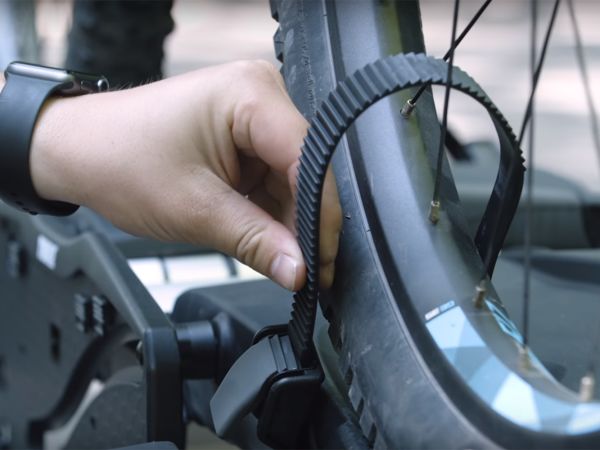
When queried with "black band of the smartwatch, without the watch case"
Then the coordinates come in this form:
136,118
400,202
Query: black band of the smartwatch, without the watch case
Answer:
20,103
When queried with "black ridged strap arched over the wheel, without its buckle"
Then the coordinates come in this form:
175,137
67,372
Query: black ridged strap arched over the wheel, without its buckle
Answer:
341,108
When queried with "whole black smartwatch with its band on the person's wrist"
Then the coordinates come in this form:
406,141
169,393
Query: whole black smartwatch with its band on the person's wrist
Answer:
27,87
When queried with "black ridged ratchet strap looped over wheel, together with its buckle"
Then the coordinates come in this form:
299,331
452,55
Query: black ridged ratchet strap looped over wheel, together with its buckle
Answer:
278,376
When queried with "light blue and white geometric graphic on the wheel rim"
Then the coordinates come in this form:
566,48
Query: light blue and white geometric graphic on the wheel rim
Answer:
504,390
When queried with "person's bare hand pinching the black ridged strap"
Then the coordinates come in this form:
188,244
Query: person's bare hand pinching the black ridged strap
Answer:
209,157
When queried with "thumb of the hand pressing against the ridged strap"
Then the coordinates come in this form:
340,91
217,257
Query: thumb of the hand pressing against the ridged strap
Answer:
242,229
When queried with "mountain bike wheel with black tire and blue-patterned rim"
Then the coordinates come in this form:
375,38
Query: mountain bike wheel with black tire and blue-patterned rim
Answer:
424,367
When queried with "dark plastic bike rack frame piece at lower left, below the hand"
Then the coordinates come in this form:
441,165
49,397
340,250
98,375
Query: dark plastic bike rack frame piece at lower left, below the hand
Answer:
40,332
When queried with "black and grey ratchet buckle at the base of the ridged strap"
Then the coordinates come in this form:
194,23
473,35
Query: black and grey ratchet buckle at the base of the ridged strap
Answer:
269,381
